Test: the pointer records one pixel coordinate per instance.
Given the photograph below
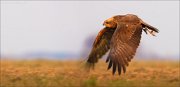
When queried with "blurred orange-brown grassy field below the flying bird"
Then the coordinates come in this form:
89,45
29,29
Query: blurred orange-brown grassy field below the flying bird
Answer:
46,73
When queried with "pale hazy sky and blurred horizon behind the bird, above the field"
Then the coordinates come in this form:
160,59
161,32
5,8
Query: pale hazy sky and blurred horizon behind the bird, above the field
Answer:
67,29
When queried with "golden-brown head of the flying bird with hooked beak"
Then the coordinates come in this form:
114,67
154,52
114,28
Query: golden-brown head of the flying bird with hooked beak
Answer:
110,23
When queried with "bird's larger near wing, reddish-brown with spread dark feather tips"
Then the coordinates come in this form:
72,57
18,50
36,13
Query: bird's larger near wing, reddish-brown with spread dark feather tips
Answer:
124,43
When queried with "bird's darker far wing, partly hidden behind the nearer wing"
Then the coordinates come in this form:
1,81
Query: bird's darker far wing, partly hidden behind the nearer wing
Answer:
101,46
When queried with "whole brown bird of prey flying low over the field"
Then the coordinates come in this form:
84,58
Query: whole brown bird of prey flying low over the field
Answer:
121,37
